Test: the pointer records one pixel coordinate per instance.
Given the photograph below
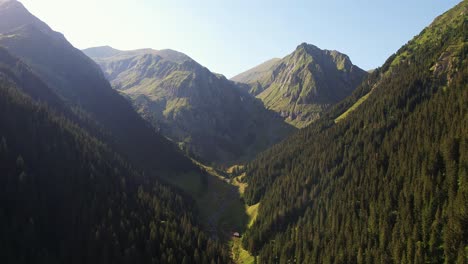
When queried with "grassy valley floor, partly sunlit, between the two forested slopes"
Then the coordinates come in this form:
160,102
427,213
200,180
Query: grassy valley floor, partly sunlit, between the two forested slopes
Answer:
220,206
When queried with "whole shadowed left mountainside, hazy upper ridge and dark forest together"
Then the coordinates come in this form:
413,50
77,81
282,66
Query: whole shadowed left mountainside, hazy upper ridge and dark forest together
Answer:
74,188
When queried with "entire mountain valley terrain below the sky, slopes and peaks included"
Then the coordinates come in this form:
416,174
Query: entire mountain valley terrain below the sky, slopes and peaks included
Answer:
380,176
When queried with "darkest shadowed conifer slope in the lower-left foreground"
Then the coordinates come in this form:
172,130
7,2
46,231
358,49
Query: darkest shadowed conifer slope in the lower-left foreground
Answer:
65,197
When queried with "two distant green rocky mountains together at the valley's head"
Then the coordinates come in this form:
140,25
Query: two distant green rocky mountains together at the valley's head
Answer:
221,121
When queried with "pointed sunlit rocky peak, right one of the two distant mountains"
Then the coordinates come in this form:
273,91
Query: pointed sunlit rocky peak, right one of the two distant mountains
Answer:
304,84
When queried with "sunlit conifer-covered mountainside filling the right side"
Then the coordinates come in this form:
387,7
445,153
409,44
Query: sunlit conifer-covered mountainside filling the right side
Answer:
381,177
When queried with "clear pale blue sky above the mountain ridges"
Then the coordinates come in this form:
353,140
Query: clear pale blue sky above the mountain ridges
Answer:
232,36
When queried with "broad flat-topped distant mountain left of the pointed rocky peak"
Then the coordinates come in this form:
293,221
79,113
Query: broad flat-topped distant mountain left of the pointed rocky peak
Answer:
208,115
